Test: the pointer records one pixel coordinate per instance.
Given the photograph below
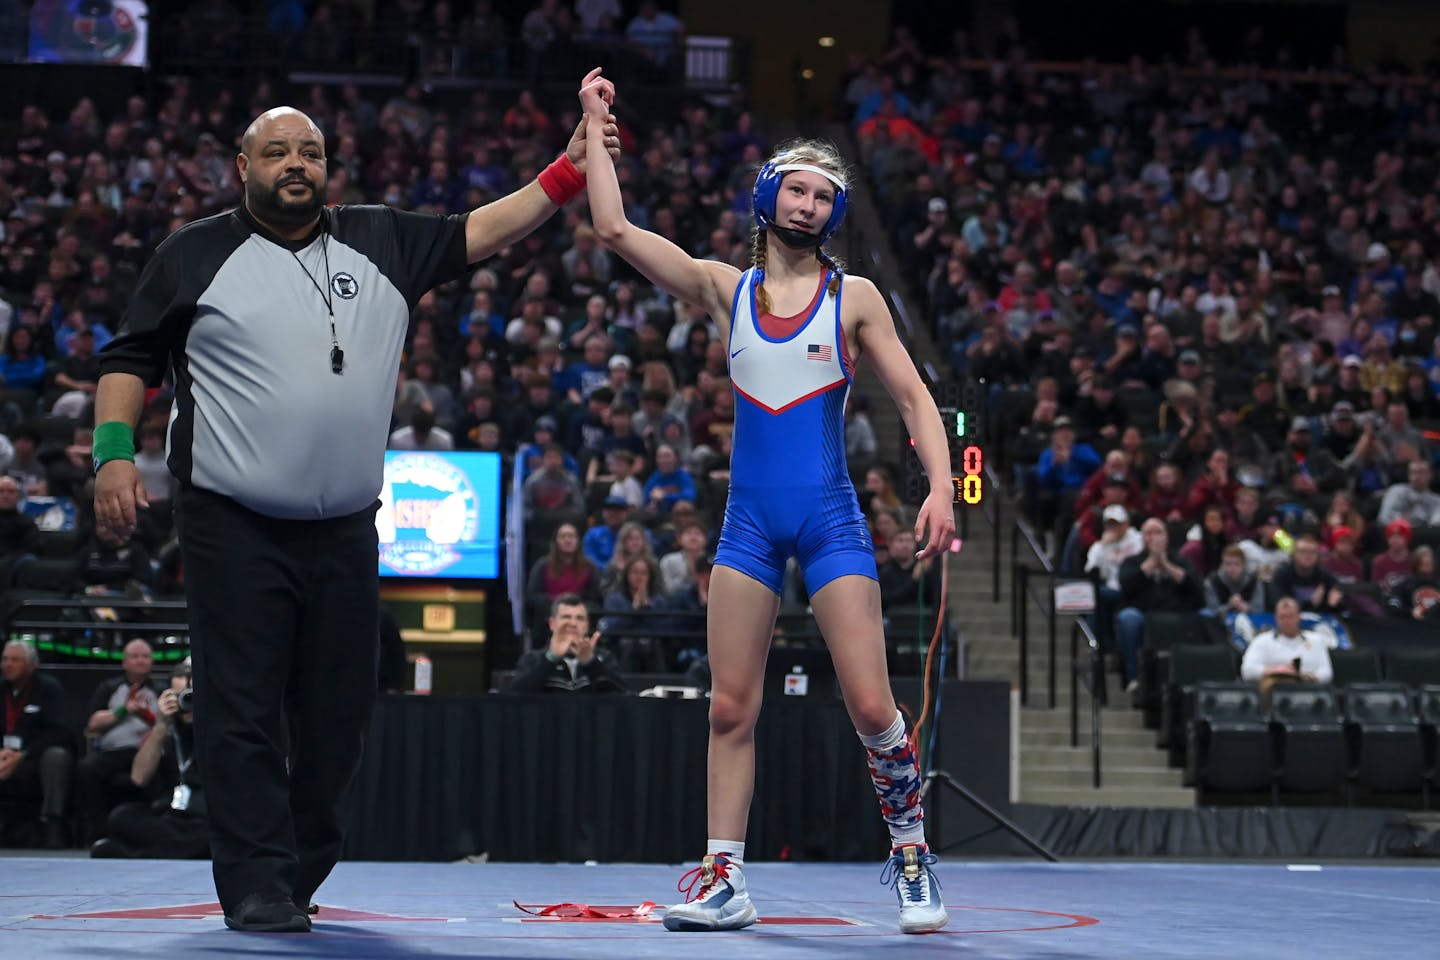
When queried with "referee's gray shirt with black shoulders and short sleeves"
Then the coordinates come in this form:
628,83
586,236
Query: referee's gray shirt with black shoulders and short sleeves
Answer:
260,415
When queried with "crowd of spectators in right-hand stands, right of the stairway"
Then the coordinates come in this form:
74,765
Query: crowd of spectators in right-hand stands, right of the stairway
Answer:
1203,300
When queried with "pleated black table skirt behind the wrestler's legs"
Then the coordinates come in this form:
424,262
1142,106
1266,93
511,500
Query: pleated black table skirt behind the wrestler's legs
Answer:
617,779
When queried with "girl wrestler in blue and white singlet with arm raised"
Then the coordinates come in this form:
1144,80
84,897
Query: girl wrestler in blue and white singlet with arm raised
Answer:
794,326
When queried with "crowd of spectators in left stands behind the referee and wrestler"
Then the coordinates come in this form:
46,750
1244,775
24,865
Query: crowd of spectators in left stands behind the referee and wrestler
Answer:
608,402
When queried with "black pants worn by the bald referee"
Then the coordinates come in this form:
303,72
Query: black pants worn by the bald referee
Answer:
284,643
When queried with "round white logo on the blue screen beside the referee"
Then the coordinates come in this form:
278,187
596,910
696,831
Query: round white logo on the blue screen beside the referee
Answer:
427,507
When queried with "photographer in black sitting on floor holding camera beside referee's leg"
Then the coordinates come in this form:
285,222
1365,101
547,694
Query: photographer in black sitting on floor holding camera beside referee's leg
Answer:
174,825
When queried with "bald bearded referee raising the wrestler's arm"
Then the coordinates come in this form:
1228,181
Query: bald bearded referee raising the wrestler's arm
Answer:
283,323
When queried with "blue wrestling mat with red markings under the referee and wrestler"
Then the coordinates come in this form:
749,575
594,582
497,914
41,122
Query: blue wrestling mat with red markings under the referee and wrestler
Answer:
66,907
